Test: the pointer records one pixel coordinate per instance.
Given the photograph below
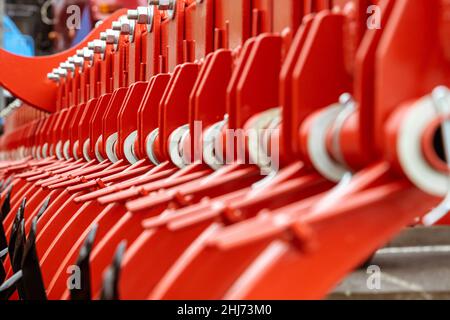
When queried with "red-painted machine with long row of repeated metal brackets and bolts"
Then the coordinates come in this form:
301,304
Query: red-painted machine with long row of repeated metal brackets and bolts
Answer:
137,131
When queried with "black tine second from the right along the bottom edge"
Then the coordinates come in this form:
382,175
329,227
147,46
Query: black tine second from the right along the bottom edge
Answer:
83,293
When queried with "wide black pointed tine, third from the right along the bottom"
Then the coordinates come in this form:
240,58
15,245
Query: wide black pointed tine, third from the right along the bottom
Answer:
33,284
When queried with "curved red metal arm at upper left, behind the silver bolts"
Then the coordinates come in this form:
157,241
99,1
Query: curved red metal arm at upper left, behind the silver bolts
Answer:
26,78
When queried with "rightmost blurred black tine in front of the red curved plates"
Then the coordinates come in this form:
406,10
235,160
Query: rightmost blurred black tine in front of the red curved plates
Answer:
111,277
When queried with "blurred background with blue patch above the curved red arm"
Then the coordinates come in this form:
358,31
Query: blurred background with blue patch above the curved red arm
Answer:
43,27
